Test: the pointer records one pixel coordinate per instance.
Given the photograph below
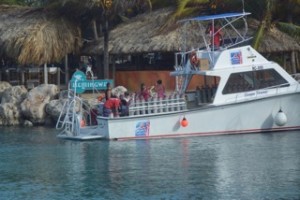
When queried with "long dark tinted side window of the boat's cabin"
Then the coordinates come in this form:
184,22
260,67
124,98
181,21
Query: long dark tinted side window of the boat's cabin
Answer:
247,81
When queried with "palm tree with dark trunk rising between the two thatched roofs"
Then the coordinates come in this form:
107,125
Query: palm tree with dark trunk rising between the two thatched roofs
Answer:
103,12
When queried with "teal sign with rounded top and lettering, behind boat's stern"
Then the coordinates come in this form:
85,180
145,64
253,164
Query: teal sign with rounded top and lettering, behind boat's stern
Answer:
79,83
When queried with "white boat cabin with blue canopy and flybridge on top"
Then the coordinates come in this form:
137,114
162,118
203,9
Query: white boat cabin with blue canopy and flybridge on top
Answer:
231,72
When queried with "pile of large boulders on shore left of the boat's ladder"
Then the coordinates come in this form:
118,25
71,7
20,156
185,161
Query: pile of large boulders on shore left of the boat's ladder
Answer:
39,106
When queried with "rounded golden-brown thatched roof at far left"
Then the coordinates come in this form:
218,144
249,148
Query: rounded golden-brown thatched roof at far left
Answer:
36,36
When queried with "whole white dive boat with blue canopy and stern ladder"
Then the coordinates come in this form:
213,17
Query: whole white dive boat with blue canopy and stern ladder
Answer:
242,92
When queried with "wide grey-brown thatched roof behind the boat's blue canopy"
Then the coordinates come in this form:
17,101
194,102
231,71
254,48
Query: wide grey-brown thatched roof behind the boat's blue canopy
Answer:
144,34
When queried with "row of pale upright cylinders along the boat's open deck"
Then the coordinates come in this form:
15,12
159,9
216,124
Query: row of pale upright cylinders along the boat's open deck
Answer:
172,103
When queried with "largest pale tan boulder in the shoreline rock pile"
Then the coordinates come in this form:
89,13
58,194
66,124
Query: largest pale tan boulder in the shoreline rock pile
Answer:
33,107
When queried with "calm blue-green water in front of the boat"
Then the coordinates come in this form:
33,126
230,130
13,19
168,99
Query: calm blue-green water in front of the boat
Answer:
34,164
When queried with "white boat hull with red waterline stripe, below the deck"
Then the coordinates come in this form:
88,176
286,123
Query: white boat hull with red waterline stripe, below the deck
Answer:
244,117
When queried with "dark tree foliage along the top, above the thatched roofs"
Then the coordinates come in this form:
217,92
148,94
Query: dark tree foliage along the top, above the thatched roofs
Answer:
106,13
